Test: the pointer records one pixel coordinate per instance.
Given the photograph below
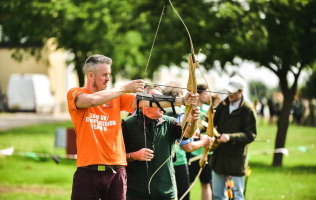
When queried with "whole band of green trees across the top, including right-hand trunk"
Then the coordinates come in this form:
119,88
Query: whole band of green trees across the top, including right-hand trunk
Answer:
279,35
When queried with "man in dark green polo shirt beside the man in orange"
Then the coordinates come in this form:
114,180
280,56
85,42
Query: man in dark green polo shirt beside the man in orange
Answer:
146,151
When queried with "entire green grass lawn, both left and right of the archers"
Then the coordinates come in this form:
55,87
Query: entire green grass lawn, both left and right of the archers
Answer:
25,178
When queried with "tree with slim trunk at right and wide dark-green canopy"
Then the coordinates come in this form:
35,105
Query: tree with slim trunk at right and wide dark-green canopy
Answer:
278,35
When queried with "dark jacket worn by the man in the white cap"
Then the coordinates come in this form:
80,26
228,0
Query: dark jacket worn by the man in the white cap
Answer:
231,158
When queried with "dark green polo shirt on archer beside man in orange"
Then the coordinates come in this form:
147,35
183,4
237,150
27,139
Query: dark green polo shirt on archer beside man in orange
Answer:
162,185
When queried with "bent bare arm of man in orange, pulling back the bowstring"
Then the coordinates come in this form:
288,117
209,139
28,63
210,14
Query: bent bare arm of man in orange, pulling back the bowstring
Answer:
98,98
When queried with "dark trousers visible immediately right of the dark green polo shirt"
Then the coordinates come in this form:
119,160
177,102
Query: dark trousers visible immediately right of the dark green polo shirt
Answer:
182,180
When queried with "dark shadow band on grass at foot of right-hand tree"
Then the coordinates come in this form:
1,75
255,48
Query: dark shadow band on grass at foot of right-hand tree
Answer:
299,169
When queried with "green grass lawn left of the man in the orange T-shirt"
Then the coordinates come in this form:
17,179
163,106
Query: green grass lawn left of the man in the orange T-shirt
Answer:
25,178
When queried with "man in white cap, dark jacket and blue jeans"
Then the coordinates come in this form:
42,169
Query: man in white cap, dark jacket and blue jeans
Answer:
235,120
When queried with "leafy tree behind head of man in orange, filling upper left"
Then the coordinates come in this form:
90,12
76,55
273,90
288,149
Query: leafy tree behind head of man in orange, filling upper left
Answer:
80,27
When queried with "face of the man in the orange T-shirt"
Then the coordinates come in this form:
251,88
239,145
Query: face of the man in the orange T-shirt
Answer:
102,77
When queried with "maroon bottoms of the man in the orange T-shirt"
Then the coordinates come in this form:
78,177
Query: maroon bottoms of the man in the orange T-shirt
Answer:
89,184
